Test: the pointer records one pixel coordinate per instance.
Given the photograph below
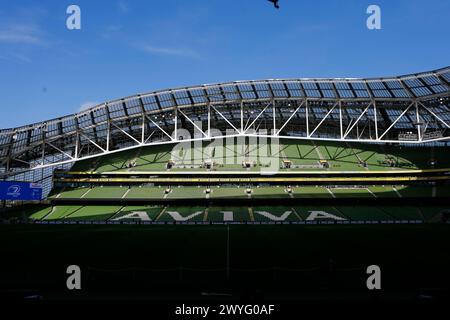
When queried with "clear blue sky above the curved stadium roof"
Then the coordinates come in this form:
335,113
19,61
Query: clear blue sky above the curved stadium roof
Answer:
131,46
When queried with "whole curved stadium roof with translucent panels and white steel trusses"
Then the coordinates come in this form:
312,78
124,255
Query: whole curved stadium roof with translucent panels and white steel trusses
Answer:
408,110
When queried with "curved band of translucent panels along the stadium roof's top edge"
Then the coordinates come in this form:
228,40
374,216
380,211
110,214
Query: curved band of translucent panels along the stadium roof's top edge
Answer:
420,85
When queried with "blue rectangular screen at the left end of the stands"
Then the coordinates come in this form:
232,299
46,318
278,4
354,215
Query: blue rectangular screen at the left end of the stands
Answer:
10,190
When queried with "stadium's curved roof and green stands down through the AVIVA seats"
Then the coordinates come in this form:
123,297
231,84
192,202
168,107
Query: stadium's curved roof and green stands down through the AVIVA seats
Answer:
244,142
